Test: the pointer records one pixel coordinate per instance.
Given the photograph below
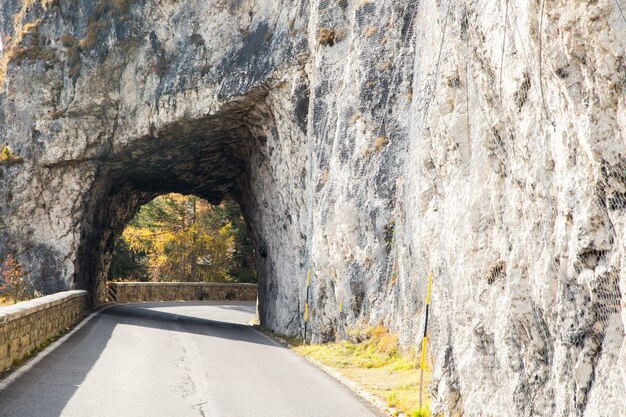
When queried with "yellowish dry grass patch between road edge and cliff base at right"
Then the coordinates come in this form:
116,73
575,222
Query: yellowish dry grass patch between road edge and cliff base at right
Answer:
373,359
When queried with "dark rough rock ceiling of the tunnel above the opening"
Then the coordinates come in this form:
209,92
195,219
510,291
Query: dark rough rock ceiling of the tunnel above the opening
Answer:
203,157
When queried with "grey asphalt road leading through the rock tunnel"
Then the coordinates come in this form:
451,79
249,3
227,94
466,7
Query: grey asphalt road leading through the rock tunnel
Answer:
175,359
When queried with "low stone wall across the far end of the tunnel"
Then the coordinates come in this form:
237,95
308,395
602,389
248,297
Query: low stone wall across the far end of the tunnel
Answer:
130,292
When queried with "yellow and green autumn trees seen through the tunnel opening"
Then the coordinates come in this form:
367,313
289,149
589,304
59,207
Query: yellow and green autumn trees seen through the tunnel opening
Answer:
185,238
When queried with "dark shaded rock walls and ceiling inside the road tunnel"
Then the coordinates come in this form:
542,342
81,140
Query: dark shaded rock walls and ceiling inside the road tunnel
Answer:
211,157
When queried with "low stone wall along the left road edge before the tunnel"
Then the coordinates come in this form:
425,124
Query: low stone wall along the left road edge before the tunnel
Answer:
27,325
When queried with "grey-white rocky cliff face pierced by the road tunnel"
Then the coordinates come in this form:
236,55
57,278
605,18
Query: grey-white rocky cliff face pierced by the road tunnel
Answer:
377,142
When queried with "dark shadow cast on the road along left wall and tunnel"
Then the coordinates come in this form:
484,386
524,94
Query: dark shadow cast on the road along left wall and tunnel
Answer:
46,389
